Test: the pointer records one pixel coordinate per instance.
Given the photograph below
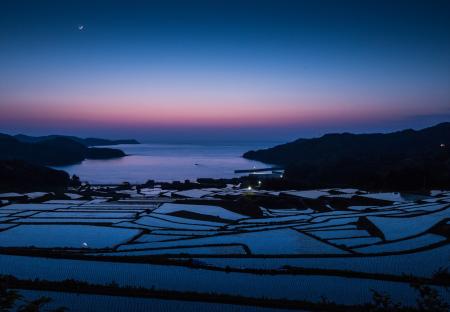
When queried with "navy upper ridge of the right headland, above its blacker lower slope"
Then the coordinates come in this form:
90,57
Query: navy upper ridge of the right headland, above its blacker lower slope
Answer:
330,146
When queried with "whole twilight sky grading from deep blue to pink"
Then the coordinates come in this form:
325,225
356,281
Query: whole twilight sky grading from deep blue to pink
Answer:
166,70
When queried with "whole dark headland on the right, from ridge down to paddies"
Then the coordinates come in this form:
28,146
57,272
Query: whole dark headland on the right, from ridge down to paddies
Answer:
404,160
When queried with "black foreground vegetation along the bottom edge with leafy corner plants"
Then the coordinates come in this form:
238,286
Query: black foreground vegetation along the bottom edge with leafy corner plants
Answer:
428,297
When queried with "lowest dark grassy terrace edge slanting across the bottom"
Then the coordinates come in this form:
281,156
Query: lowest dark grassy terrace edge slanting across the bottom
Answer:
74,286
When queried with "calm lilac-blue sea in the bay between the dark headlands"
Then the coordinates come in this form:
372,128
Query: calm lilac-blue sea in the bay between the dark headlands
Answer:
169,162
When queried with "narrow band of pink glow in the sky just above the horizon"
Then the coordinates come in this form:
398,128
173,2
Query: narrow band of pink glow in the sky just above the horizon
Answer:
196,114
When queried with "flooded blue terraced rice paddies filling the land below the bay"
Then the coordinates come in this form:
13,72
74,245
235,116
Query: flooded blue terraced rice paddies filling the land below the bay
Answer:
229,251
